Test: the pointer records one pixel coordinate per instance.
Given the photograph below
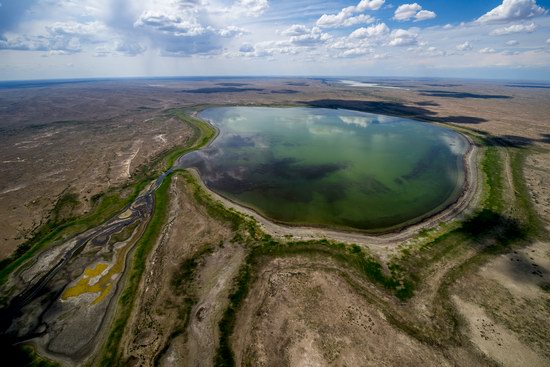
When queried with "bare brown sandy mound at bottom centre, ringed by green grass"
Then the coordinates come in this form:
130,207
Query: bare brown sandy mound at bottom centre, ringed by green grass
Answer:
300,312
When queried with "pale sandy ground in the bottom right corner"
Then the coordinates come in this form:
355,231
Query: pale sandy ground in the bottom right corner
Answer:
506,308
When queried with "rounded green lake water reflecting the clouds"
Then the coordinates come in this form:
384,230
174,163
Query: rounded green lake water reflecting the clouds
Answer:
334,168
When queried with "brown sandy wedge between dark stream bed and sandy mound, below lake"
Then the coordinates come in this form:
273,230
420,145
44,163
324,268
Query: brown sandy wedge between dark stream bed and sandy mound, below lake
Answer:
156,313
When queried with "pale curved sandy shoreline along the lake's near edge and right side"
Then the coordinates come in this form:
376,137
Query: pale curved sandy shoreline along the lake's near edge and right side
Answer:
382,243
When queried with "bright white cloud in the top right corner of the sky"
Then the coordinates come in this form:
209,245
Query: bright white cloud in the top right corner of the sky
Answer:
511,10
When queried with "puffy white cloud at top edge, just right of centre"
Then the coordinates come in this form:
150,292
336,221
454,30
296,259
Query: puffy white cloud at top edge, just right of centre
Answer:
346,17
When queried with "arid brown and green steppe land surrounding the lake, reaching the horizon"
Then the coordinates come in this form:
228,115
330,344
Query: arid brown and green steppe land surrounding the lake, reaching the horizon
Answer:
183,277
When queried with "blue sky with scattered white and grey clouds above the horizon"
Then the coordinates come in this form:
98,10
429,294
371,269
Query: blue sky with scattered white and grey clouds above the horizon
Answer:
50,39
